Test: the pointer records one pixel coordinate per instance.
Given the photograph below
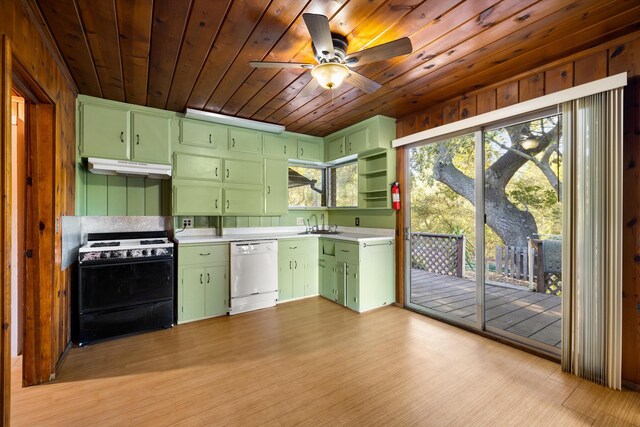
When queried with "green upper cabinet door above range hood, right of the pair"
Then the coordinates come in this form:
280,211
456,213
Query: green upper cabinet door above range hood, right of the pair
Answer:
151,138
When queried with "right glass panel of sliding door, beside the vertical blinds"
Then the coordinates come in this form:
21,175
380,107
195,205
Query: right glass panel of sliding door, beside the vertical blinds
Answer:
523,231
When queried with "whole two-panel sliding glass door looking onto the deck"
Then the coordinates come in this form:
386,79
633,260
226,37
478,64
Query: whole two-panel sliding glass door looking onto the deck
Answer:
484,219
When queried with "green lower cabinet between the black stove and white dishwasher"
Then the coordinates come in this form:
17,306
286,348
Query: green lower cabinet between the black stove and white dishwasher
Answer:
203,281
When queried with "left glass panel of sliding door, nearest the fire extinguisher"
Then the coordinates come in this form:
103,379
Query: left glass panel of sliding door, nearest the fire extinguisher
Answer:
443,230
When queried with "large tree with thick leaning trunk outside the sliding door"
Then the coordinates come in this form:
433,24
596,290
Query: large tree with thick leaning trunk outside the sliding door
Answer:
507,151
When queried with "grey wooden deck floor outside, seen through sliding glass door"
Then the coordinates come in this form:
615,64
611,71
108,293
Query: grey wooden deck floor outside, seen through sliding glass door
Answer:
528,314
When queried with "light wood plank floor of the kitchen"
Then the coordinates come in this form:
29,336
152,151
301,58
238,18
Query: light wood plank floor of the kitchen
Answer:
313,362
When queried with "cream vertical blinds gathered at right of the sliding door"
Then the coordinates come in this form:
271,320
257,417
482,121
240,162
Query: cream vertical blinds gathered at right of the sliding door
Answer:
592,231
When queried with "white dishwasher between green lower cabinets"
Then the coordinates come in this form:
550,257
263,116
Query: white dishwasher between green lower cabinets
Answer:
254,275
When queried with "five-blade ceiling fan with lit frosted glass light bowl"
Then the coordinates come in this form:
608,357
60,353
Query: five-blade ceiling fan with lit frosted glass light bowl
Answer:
334,64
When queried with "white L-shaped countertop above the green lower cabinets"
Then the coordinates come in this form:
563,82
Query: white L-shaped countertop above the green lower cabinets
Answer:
277,233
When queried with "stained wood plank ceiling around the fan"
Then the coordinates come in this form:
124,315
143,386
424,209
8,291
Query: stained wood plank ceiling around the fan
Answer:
174,54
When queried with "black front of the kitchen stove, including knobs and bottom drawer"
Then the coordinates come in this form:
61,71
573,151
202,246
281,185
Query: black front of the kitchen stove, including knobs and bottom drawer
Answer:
123,294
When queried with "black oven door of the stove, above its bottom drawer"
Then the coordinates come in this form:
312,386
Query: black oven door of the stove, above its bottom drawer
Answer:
113,285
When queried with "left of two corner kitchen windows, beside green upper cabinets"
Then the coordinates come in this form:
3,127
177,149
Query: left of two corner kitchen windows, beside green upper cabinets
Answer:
307,187
